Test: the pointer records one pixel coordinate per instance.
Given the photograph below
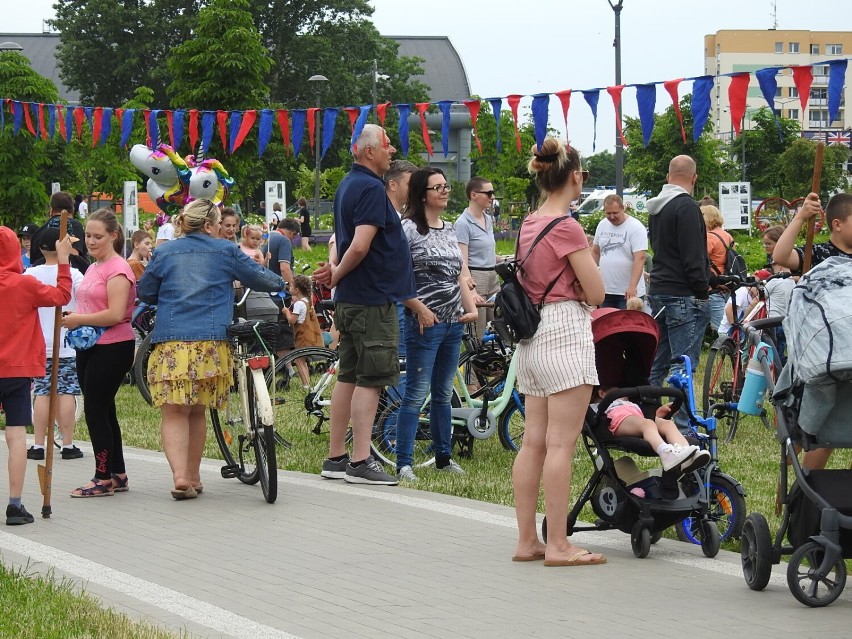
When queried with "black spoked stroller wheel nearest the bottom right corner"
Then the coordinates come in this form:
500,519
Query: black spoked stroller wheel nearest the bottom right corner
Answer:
805,581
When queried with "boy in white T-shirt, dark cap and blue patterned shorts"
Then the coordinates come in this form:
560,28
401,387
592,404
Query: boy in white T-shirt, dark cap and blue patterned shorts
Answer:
67,384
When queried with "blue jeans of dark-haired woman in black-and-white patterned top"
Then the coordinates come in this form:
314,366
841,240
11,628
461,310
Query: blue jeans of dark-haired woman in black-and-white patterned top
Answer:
431,364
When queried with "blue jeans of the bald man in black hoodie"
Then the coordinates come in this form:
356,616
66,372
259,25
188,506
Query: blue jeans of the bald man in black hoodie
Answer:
682,324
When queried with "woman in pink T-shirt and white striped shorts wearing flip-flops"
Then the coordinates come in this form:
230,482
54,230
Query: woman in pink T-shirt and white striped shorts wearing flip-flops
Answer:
556,367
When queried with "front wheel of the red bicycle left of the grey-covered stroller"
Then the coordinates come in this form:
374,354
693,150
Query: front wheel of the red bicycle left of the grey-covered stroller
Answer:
722,384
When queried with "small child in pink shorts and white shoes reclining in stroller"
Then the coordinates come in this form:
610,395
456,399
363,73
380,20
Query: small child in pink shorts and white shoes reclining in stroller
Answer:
626,419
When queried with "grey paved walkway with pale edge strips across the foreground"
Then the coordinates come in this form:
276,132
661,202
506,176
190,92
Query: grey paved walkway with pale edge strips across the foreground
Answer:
333,560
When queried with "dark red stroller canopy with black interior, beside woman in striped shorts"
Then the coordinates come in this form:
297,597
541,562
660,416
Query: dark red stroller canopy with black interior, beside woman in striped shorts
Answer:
625,344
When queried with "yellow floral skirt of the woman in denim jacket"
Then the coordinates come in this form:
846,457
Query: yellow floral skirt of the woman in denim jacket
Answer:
191,373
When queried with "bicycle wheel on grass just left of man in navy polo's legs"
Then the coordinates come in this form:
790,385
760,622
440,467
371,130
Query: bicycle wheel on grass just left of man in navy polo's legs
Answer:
304,405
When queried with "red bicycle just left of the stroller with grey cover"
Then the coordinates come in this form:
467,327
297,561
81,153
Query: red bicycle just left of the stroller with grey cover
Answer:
724,370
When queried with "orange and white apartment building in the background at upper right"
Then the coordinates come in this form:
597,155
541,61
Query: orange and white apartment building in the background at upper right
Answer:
731,51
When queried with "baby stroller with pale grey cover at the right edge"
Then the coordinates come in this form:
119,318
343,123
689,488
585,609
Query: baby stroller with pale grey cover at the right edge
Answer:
813,404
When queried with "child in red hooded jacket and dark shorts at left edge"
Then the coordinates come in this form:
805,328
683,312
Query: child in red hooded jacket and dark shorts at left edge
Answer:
22,353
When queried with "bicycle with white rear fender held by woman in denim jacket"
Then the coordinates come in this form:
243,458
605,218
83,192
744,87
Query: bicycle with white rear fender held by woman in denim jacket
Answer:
245,429
